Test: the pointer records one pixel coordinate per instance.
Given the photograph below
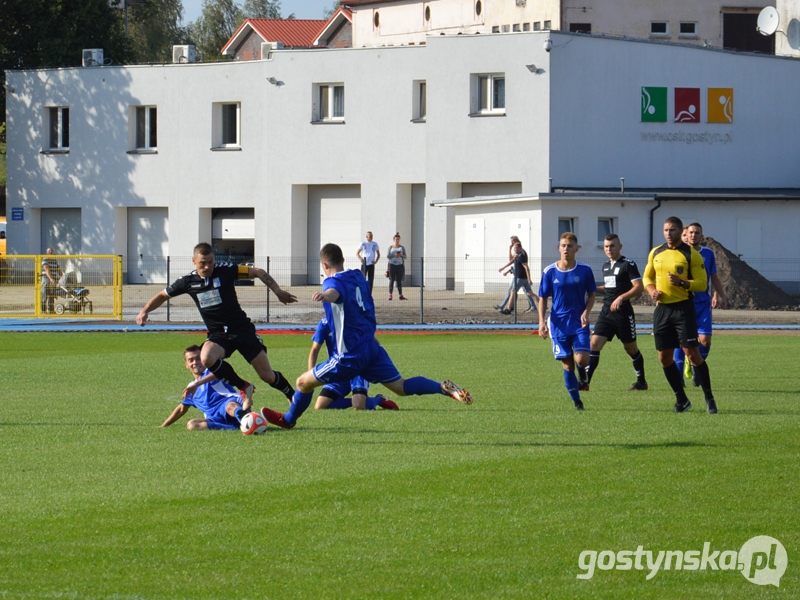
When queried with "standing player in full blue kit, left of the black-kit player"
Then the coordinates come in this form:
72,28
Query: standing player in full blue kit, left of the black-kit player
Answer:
572,287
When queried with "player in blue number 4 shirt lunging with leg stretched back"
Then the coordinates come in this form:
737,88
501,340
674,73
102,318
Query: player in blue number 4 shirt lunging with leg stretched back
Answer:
351,316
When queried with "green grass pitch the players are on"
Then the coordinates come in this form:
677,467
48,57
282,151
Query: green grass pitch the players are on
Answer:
439,500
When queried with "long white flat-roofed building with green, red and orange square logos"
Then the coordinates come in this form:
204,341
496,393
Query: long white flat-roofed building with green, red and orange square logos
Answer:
455,144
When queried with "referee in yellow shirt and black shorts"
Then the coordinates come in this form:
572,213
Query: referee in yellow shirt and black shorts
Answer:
674,271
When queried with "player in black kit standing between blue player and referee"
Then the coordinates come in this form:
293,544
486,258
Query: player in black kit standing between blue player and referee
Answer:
621,284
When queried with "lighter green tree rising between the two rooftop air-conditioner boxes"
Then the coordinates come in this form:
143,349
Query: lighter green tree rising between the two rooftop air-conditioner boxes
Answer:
154,28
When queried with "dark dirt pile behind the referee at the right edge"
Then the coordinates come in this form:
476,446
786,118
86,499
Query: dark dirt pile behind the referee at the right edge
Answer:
746,288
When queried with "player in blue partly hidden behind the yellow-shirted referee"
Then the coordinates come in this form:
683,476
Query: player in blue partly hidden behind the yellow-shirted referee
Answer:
703,301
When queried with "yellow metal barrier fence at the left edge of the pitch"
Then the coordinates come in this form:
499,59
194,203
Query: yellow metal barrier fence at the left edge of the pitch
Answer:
58,285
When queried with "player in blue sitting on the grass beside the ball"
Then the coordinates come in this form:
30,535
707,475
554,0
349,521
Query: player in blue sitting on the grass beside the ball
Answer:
220,403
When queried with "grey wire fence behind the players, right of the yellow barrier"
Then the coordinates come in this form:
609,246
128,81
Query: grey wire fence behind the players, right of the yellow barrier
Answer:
456,291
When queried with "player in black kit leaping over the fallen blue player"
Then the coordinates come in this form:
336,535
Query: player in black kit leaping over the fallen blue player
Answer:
211,286
